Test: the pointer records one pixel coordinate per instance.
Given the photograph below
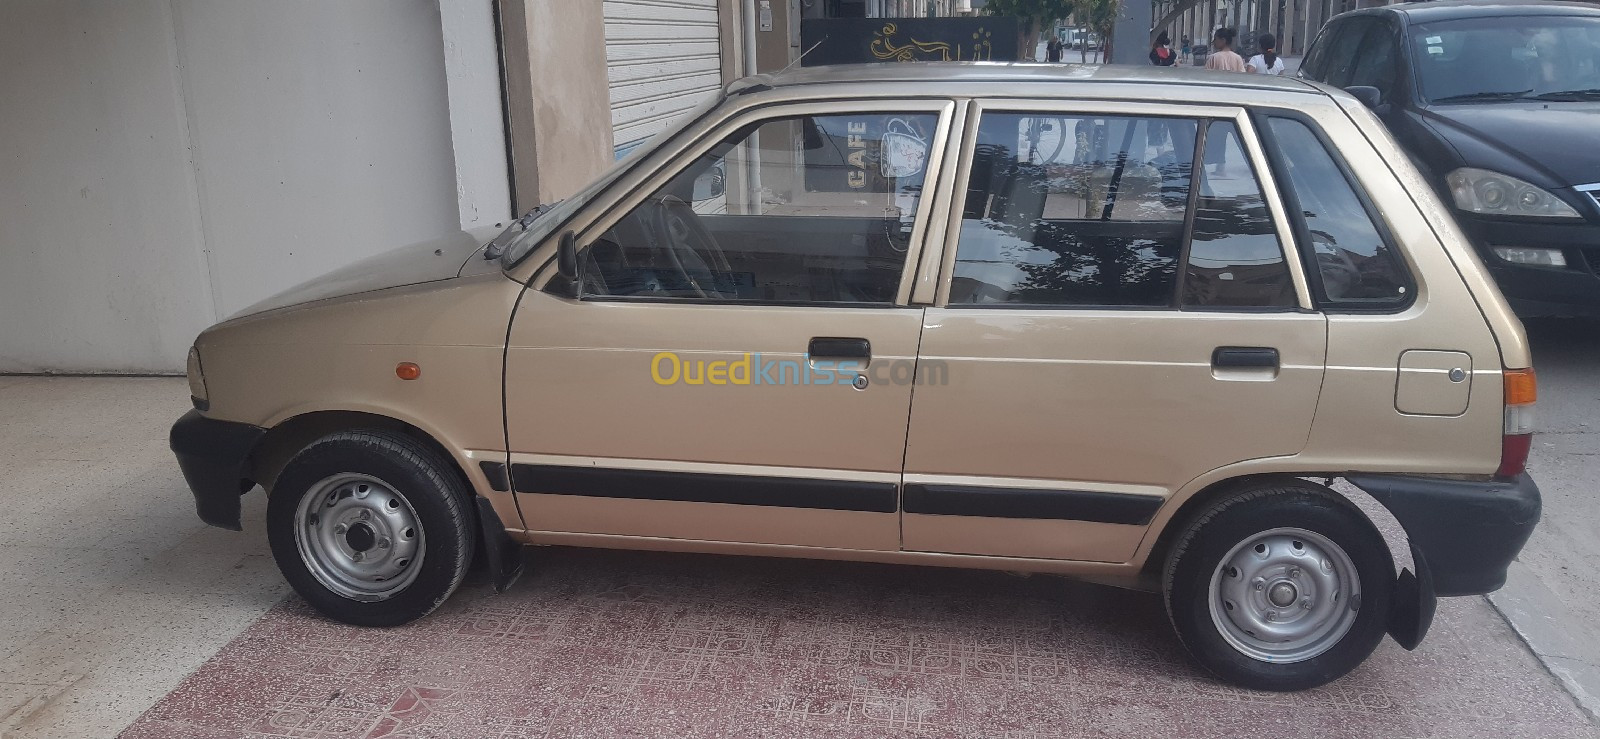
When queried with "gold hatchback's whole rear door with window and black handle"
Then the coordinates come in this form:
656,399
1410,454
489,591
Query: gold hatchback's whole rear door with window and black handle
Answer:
1116,318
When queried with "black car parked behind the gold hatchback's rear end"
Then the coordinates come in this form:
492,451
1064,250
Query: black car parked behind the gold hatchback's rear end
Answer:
1498,103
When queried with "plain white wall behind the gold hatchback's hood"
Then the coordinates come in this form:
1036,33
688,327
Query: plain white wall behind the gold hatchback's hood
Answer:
169,162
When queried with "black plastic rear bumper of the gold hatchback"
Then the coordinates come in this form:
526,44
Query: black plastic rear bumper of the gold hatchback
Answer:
1468,532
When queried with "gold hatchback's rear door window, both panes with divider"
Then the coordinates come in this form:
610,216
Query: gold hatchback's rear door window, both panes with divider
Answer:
1094,212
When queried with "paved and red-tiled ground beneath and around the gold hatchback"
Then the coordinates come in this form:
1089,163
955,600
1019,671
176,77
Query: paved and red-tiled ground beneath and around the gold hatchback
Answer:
116,593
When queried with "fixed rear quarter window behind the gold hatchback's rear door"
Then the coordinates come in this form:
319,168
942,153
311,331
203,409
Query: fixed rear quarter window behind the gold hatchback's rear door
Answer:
1358,268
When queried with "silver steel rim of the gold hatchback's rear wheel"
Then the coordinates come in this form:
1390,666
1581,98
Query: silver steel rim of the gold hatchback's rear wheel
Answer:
1286,596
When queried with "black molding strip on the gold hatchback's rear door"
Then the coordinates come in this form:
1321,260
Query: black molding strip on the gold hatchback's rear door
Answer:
1028,503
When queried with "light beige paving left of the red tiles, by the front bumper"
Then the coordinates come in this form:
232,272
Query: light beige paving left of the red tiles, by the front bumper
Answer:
113,591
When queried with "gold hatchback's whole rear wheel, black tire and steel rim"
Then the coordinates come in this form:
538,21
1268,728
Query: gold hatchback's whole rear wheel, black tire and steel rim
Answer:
1282,588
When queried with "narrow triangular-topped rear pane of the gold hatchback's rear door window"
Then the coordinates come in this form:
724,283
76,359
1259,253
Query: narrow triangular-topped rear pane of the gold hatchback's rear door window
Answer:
1234,258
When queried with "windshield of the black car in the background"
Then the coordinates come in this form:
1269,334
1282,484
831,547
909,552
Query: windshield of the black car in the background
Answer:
1506,57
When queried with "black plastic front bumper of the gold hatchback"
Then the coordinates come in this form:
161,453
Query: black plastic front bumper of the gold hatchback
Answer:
214,457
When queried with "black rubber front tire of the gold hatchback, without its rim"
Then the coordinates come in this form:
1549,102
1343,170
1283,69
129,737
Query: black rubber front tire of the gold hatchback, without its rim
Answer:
428,485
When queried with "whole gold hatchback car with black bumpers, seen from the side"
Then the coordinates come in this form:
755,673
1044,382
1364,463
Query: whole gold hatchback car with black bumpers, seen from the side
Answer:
1126,326
